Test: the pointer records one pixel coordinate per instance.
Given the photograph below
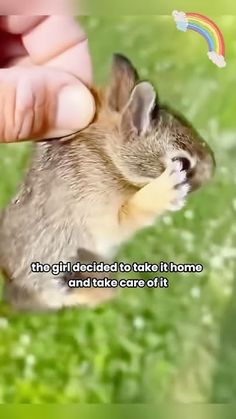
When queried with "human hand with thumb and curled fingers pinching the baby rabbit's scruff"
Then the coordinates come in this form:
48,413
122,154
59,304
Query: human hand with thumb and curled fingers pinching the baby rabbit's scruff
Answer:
45,72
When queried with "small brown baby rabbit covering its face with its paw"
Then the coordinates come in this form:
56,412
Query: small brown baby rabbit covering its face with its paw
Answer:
86,194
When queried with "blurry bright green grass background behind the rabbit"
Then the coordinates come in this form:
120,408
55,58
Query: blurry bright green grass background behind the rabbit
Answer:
150,344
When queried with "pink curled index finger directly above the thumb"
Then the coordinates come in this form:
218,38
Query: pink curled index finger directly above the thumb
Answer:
60,42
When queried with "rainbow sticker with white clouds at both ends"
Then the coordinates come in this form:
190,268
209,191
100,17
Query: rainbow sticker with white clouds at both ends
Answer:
208,29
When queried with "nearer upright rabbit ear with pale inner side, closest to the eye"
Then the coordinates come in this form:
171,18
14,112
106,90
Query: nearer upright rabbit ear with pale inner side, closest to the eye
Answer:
138,114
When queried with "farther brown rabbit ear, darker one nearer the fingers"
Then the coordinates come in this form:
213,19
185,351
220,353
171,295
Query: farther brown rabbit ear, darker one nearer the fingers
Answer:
123,79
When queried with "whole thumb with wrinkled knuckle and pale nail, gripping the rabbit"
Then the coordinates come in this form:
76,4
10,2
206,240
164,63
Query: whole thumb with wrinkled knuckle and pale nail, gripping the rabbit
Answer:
42,103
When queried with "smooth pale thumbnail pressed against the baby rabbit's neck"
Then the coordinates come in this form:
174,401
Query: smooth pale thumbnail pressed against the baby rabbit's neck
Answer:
75,107
